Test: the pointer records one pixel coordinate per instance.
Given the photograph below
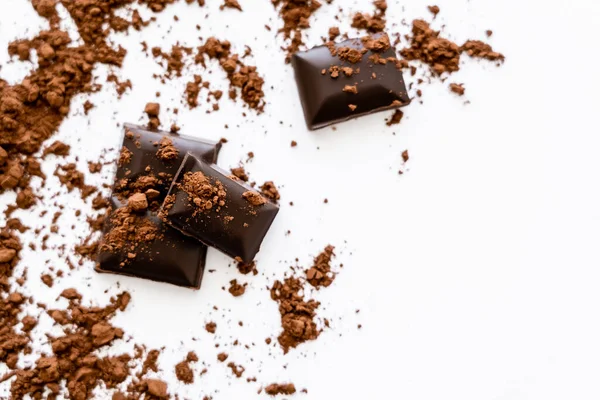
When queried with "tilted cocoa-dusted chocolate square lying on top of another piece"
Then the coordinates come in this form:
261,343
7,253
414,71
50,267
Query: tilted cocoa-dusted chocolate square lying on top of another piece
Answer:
207,204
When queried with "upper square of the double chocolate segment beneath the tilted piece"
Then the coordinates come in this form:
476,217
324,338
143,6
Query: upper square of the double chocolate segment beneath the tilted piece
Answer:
152,161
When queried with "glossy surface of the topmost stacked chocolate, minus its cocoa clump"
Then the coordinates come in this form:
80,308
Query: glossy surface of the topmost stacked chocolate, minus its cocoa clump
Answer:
237,229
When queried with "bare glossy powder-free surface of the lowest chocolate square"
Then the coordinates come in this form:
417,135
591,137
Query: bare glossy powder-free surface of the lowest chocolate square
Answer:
172,257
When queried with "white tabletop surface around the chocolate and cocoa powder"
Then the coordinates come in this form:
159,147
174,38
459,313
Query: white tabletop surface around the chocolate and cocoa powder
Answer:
476,272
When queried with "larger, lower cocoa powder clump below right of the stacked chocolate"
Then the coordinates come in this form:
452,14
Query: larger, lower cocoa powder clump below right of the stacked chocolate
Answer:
297,314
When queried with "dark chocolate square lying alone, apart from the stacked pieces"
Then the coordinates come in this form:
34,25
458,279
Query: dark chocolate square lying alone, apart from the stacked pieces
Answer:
329,93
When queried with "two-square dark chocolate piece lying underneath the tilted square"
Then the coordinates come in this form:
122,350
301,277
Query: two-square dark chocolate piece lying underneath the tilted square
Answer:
136,242
